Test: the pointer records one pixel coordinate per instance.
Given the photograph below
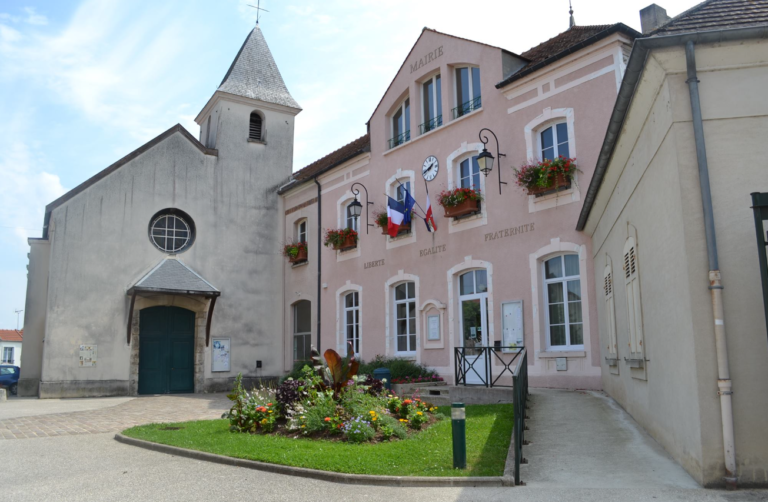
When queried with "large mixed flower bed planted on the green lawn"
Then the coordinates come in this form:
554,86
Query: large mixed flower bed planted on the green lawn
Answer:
331,403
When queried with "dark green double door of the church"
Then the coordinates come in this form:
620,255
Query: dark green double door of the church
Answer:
166,350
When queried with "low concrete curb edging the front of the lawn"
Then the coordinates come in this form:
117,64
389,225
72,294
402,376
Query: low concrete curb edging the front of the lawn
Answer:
334,477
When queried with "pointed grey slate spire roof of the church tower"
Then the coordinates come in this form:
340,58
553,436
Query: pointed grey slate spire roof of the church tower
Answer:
254,74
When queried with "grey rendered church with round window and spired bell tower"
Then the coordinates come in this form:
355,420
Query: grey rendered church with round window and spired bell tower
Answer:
142,264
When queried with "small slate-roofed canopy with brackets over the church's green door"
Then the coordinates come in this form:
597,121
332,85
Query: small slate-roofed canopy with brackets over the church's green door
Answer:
173,277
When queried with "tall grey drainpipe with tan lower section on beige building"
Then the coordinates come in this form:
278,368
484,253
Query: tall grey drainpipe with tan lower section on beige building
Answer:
715,287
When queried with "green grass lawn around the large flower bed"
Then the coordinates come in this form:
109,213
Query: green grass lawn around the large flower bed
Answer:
428,453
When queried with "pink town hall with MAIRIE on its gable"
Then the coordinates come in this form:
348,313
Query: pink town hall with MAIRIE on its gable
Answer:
515,272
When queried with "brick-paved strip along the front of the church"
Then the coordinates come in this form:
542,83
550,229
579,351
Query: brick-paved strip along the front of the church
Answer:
103,415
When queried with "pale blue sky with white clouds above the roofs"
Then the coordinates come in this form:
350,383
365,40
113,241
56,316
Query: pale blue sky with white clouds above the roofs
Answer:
83,83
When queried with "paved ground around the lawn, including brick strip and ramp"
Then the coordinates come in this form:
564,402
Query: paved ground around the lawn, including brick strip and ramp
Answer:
74,457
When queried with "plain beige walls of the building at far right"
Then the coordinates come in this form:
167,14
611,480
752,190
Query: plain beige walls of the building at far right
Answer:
652,184
